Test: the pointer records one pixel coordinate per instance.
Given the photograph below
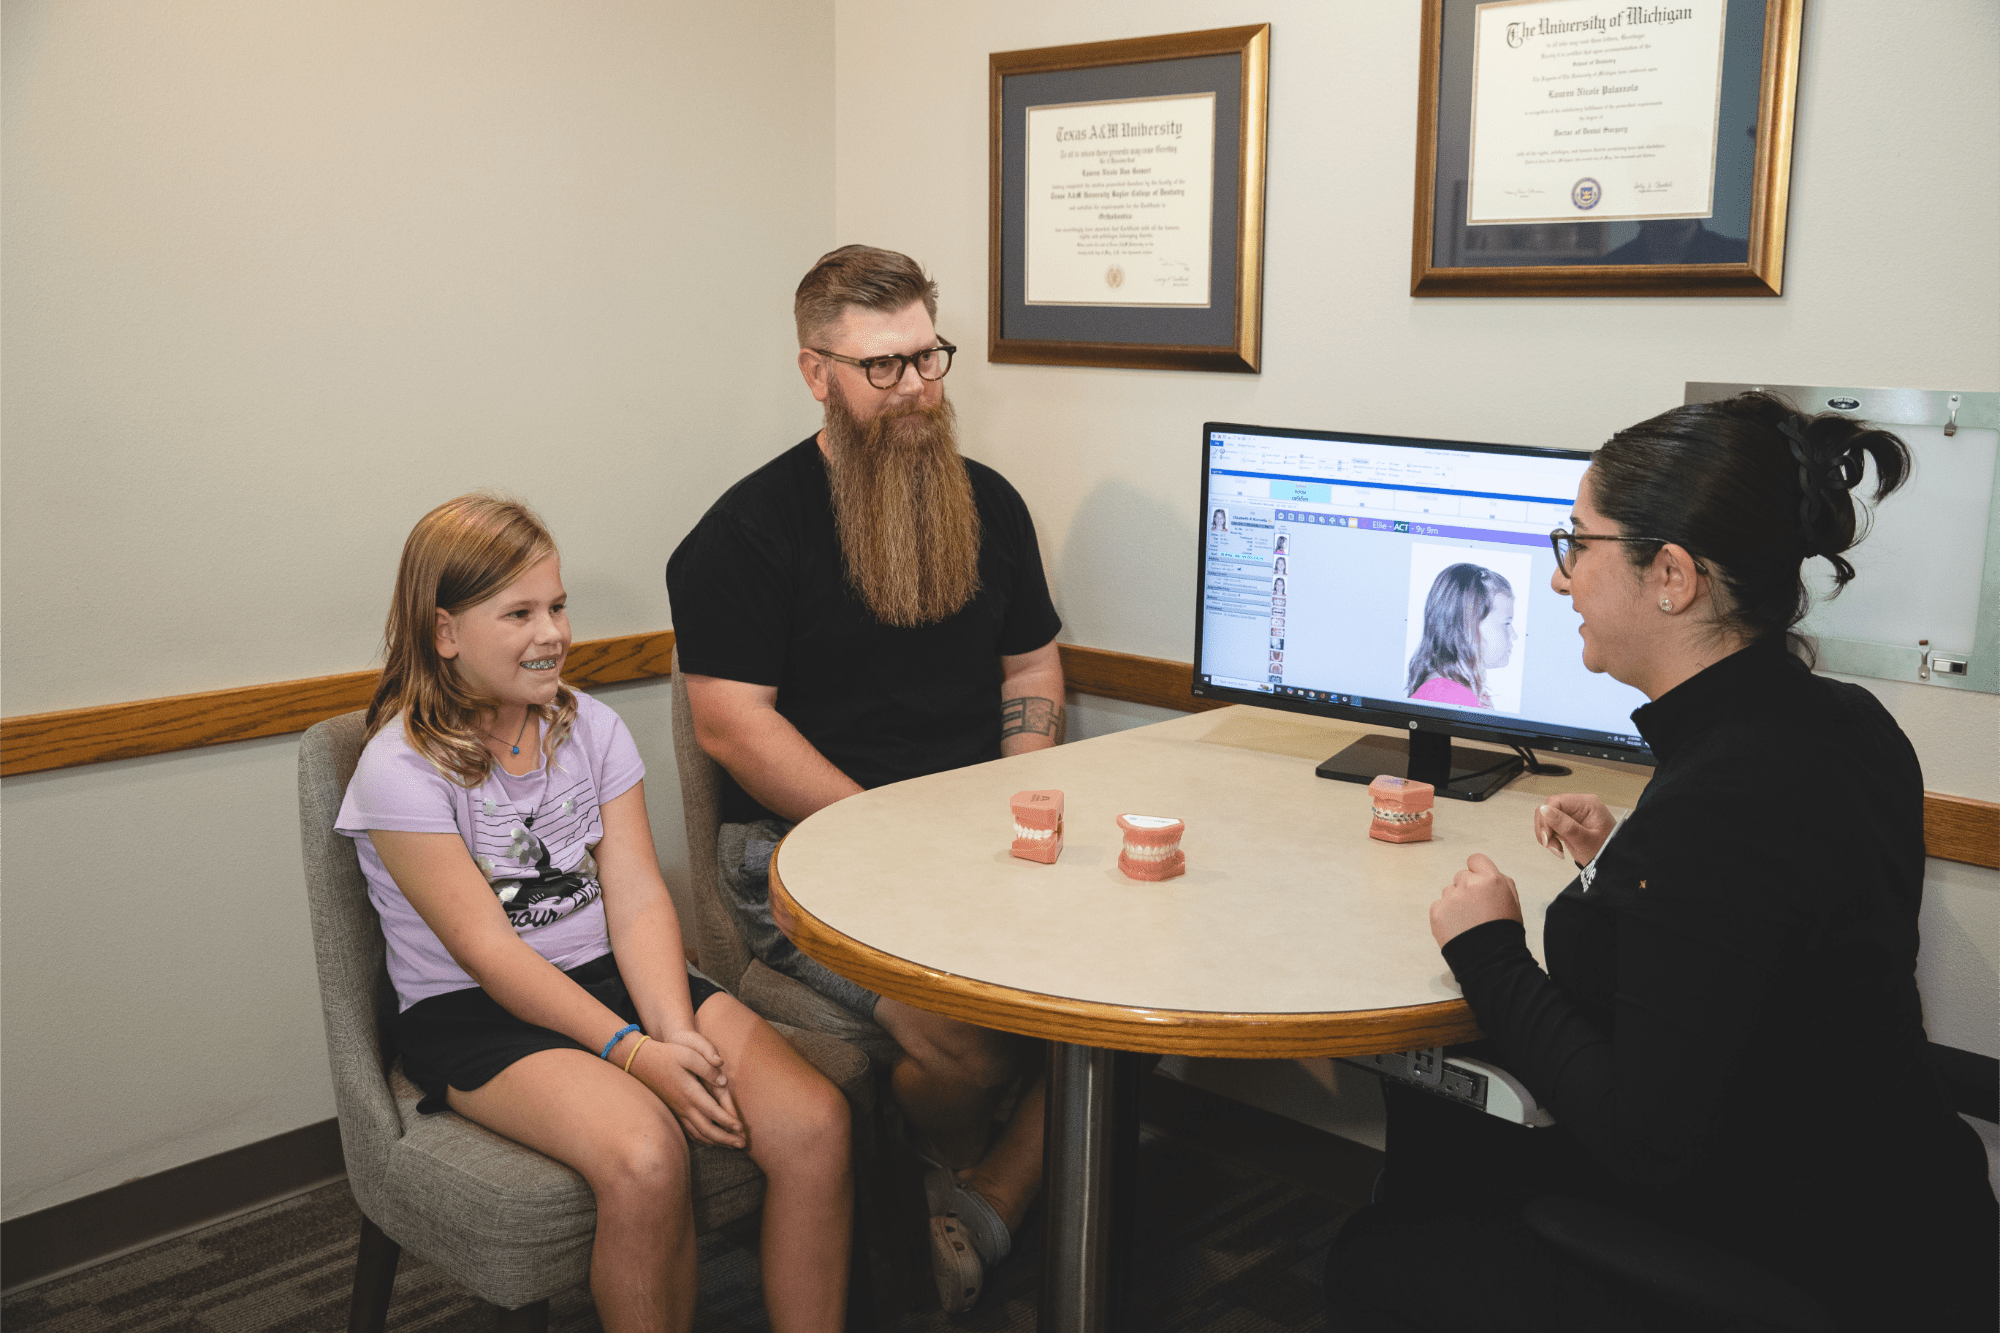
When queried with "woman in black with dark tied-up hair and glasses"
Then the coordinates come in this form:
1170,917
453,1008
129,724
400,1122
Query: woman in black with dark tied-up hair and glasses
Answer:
1729,1030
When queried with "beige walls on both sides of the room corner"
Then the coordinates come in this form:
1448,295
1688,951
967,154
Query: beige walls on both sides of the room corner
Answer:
275,279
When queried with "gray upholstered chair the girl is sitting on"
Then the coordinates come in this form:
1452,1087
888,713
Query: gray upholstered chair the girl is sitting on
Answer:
505,1222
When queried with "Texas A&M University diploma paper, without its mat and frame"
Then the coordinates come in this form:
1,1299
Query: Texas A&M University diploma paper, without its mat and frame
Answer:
1121,201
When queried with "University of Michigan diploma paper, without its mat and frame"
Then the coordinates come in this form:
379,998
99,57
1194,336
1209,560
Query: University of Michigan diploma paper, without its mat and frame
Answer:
1595,113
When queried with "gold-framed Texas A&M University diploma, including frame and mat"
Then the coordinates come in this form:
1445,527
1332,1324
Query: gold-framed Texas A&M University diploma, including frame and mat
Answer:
1127,205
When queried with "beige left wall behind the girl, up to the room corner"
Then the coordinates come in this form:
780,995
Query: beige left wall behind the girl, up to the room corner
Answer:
279,279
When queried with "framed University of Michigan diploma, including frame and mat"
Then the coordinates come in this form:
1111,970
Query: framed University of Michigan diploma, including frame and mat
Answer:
1605,149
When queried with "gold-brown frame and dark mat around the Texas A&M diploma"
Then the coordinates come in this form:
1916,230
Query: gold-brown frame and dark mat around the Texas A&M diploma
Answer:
1221,335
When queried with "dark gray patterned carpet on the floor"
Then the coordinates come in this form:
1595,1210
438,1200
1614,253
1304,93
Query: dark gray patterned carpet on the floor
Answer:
1223,1250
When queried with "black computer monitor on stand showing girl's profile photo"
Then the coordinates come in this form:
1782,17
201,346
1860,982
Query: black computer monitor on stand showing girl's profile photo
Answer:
1405,583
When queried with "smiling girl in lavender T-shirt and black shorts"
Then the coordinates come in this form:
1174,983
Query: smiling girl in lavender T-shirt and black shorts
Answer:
537,958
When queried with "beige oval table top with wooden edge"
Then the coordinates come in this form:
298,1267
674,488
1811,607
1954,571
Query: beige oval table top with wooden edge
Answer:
1291,934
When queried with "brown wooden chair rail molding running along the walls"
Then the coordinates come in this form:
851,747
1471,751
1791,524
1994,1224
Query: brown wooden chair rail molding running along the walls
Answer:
1955,828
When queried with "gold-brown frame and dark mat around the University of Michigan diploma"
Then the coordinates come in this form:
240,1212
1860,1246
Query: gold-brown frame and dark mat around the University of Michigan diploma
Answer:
1569,259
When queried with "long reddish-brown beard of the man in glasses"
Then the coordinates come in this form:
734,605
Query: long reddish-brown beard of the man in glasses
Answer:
903,503
